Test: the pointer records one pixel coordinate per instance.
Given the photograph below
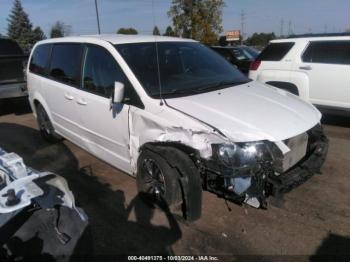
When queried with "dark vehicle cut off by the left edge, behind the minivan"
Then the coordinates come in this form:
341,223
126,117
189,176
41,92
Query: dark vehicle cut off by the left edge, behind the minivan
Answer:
12,69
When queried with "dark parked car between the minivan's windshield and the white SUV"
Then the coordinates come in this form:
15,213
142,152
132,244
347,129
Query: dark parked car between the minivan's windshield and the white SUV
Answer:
240,56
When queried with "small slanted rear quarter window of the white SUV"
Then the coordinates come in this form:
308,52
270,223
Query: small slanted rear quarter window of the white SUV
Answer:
275,51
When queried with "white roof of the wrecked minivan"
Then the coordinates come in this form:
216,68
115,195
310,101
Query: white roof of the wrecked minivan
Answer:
119,39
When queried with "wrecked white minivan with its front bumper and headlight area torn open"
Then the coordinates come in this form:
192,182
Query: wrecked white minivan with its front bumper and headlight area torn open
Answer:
175,115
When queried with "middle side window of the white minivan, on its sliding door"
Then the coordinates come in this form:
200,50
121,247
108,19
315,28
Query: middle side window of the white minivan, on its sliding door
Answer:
66,63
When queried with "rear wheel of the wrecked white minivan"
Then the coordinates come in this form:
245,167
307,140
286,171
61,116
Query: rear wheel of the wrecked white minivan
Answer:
45,126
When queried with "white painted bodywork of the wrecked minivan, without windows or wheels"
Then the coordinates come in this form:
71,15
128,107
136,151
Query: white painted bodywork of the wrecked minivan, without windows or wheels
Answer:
242,113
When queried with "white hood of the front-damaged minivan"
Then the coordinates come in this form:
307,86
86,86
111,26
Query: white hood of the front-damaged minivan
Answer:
250,112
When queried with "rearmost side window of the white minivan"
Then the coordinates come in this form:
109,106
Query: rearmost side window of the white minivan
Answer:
40,59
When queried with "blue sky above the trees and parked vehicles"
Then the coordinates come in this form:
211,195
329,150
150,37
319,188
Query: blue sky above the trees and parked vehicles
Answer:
299,16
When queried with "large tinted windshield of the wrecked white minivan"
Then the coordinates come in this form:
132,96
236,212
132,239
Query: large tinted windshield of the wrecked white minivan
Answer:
185,68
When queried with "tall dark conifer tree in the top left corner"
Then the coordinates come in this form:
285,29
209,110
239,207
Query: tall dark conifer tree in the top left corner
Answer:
19,27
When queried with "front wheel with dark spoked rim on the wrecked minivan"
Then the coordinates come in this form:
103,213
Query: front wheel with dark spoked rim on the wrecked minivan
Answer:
157,179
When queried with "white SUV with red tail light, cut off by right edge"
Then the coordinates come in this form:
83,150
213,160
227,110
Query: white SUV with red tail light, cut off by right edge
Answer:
314,68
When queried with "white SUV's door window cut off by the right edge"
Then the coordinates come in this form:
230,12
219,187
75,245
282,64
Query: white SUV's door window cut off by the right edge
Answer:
328,52
